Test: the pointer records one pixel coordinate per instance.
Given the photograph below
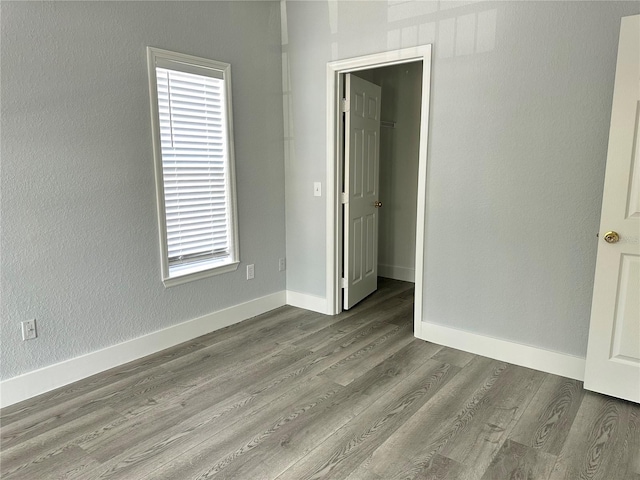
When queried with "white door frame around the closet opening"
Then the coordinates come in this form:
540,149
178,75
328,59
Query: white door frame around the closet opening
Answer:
335,79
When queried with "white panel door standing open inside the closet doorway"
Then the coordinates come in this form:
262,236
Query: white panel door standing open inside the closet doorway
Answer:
361,202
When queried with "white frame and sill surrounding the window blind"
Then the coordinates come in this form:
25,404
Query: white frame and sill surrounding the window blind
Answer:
176,275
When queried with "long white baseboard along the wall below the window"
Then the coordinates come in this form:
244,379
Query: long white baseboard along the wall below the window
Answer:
39,381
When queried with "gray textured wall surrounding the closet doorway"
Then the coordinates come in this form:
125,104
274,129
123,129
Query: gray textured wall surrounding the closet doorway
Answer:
520,109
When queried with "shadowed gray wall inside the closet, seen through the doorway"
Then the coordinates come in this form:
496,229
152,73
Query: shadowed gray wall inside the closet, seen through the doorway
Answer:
401,101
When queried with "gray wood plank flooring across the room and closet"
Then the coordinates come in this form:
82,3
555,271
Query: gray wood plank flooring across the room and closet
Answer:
294,395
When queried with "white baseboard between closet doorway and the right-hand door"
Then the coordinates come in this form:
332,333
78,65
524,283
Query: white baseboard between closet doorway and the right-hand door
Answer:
505,351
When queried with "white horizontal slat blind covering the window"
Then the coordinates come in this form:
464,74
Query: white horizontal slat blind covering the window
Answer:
193,135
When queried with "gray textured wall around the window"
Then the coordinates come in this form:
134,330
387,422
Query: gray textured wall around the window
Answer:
79,236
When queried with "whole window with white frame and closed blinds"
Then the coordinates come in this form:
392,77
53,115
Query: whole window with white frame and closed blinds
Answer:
194,165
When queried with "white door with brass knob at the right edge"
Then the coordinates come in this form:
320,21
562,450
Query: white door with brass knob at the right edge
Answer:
613,354
